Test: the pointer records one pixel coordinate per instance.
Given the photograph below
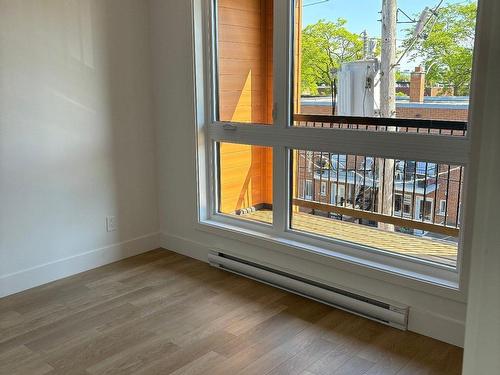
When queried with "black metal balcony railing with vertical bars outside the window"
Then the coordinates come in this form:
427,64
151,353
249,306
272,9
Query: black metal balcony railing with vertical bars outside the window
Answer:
413,196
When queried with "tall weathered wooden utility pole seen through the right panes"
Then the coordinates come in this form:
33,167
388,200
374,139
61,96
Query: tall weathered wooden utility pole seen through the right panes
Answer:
387,103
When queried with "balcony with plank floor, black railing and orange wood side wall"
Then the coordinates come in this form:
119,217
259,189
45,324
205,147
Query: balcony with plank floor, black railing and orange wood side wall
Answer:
403,207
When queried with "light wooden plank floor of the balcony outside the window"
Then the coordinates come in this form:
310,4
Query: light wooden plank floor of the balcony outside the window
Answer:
443,252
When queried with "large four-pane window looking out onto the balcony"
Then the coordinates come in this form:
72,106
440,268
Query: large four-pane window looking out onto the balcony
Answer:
365,150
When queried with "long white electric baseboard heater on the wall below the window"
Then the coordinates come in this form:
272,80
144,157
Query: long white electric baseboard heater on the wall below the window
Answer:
380,311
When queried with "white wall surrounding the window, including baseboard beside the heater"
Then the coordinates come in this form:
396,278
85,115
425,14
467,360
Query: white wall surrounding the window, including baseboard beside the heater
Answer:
431,314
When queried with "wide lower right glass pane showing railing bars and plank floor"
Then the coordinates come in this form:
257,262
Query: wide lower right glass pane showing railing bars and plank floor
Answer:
402,206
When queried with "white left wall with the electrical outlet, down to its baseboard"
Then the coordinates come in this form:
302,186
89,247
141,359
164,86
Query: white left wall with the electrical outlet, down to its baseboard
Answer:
76,137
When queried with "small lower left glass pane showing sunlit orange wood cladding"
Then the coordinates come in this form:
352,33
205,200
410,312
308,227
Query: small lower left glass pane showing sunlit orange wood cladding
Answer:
246,181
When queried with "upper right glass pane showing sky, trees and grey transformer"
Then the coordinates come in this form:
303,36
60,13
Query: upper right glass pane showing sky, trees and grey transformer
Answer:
412,61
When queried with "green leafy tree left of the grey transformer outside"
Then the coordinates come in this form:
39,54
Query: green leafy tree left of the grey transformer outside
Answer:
325,46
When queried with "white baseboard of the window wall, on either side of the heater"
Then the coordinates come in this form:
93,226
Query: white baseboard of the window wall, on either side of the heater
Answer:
421,321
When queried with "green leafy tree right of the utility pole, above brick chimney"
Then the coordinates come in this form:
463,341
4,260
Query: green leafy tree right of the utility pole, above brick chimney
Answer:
447,47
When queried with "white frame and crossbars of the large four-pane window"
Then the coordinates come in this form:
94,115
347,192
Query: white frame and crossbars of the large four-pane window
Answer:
283,138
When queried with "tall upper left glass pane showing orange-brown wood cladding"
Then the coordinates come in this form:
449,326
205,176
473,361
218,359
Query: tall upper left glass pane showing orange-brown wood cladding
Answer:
245,60
